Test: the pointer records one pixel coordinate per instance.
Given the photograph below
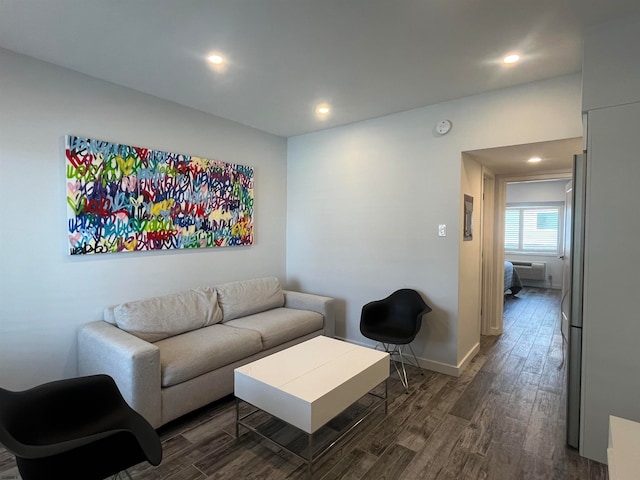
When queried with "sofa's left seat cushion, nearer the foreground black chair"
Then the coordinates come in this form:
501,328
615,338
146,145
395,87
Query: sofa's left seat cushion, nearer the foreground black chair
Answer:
194,353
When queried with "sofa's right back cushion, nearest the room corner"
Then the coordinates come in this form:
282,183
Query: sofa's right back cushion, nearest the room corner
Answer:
239,299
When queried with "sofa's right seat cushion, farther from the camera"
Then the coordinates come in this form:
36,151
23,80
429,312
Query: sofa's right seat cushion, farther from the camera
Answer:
280,325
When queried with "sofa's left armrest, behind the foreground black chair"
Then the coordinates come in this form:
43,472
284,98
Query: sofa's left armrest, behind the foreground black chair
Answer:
132,362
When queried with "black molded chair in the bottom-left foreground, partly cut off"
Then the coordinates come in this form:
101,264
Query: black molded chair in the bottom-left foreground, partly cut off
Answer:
80,429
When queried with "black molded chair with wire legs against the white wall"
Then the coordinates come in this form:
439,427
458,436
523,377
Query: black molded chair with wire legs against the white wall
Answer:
394,322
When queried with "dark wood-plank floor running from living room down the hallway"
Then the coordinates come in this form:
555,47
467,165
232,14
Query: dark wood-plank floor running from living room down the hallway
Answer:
503,418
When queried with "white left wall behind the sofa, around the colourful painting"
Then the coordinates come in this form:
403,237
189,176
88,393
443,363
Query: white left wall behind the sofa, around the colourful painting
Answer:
45,293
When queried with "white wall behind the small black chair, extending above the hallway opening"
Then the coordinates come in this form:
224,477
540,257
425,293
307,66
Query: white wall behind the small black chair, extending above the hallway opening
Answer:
364,202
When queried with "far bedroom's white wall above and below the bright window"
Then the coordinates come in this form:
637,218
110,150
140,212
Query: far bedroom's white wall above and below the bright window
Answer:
532,192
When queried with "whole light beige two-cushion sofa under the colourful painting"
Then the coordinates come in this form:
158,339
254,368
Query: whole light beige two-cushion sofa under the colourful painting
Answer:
170,355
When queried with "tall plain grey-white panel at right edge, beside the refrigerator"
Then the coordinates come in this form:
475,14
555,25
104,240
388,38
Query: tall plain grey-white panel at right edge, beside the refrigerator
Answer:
611,325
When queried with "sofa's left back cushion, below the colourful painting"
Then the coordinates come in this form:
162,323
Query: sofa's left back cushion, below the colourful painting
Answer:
161,317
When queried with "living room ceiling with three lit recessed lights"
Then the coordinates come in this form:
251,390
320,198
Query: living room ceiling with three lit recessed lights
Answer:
366,58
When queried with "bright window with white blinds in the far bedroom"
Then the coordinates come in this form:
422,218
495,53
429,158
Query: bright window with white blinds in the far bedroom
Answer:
533,228
